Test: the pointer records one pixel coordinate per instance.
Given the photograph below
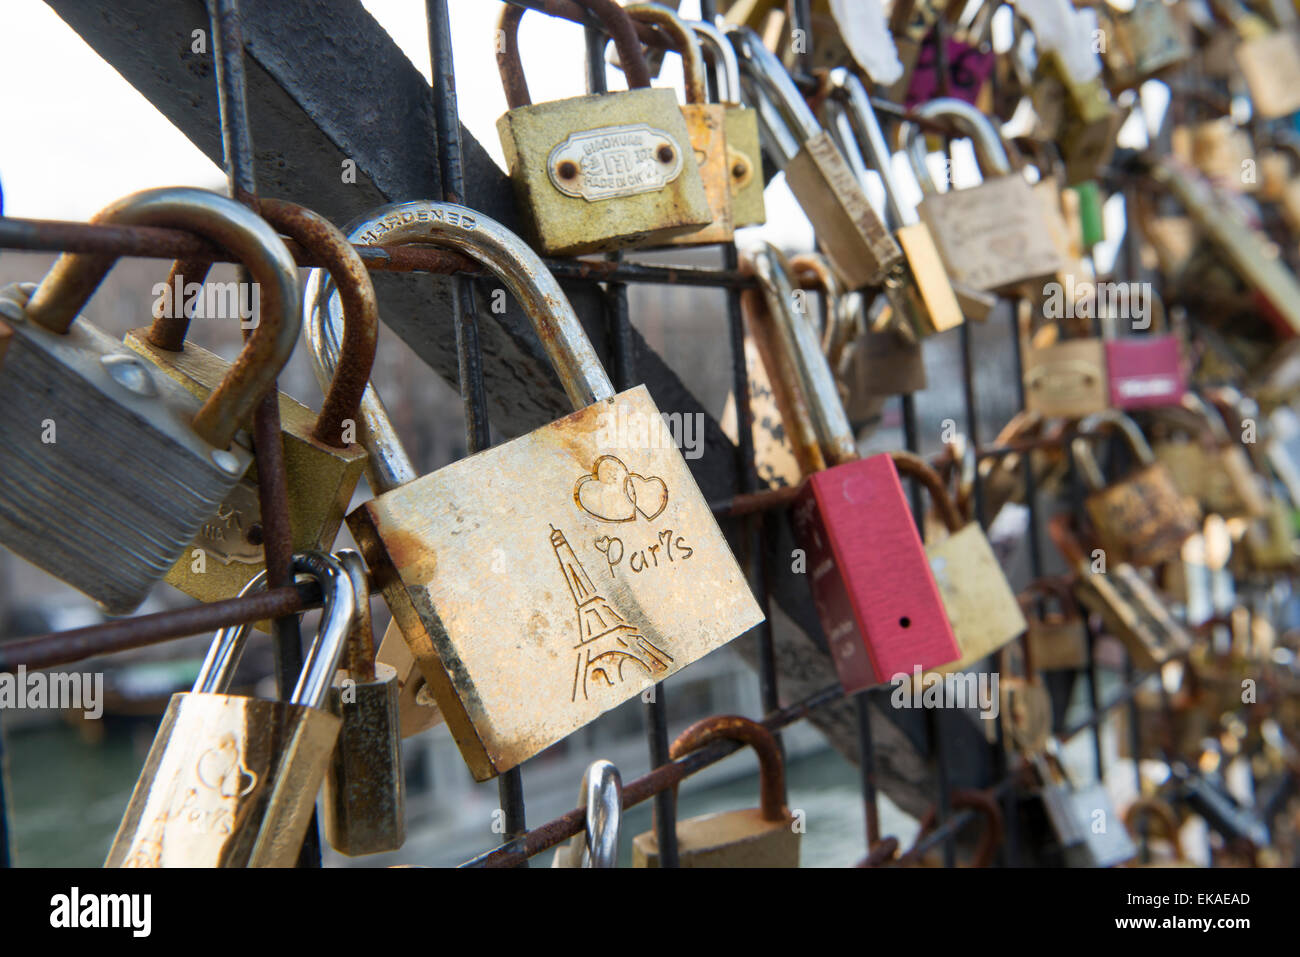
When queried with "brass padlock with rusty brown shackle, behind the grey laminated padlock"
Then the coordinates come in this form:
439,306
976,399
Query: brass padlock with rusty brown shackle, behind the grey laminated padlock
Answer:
322,467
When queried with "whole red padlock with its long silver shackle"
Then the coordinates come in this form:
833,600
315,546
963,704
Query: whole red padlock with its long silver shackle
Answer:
870,578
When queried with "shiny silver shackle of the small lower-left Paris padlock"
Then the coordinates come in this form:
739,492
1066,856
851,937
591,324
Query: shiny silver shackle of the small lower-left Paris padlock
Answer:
322,662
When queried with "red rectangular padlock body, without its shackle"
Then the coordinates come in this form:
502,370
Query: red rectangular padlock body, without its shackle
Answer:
876,595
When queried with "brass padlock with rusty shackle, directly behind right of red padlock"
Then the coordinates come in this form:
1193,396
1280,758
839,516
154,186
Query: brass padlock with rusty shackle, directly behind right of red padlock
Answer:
980,601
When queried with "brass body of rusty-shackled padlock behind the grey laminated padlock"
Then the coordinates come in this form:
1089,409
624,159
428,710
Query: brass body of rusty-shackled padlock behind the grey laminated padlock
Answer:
322,482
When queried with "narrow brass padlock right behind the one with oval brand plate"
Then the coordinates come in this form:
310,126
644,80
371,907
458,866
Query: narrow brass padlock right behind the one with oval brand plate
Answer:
707,127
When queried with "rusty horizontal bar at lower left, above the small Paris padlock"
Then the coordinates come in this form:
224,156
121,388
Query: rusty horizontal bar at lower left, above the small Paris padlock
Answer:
125,634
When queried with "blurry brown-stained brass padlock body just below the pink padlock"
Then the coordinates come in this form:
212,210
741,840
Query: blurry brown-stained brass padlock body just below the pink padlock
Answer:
1143,519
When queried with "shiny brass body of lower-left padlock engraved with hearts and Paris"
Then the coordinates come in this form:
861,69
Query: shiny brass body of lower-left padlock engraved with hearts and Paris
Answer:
229,782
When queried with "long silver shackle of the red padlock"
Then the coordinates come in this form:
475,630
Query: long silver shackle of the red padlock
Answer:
799,339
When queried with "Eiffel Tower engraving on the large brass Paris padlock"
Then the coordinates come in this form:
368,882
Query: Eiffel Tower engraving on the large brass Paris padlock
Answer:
606,642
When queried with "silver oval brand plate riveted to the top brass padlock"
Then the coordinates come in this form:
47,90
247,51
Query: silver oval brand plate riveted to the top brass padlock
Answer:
614,162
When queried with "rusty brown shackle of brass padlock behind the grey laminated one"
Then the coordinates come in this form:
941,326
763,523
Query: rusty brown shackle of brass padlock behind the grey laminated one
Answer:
361,313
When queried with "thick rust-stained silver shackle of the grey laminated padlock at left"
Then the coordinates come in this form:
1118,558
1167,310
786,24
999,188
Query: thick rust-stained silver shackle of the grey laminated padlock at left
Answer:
75,278
